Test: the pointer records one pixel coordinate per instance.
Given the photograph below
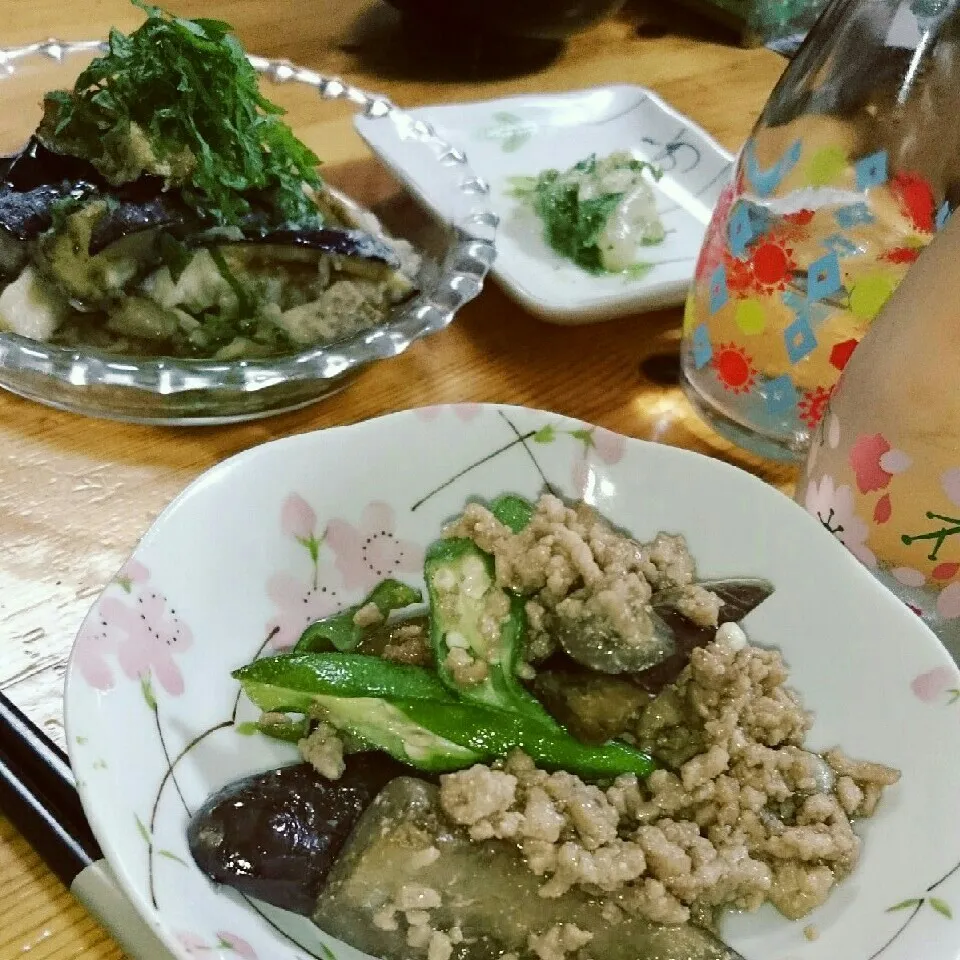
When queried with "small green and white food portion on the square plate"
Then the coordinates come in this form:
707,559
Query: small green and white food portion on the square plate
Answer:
601,213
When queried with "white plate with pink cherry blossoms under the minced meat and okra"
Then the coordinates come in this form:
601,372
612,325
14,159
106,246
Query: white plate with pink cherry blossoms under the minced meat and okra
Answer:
239,562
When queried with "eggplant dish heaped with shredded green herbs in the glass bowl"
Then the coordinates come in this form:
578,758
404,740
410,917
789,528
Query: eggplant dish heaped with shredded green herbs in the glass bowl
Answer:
162,207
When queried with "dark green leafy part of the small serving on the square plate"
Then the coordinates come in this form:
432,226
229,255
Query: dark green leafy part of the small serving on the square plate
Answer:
573,226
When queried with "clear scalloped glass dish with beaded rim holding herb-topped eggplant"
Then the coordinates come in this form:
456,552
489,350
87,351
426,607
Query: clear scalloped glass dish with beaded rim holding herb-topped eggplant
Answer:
458,252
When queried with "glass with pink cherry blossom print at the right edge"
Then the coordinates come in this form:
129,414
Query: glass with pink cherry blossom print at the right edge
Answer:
883,470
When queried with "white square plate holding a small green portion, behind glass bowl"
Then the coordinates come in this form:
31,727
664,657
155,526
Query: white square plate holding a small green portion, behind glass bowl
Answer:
520,136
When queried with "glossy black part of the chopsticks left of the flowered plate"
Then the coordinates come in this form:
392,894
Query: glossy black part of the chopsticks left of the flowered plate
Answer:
38,794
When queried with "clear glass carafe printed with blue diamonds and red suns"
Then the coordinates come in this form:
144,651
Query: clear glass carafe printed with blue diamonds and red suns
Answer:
851,170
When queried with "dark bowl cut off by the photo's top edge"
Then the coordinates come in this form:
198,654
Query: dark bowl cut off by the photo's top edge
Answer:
529,19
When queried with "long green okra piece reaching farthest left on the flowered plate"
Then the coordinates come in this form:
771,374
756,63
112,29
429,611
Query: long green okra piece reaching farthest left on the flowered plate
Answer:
291,682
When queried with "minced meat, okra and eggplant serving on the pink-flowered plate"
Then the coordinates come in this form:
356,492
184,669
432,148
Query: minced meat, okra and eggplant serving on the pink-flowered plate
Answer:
541,796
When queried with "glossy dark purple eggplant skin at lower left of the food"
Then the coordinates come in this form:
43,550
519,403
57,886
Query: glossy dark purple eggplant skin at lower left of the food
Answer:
276,835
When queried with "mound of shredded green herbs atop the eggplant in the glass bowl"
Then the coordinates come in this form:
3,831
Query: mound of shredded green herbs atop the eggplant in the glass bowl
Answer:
179,98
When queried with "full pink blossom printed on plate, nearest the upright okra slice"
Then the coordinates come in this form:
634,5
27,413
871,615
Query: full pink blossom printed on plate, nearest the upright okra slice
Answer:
371,551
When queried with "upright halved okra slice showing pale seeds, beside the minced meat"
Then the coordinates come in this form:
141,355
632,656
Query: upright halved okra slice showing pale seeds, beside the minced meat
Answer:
475,620
